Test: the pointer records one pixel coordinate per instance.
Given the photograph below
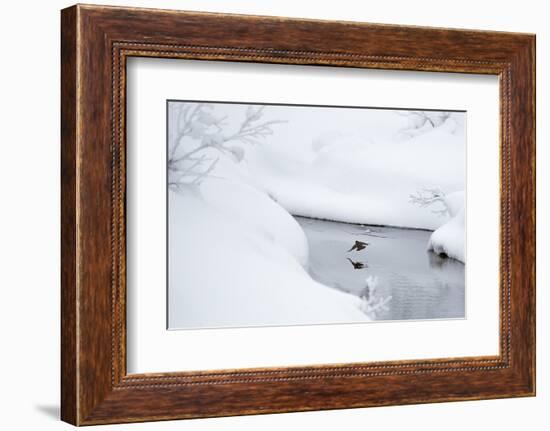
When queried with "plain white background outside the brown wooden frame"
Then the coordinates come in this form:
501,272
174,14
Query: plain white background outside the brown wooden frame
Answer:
29,217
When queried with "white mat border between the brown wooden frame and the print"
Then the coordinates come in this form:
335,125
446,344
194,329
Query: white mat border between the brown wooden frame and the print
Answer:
152,349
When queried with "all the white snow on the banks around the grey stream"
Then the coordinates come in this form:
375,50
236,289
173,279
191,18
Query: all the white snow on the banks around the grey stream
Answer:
238,257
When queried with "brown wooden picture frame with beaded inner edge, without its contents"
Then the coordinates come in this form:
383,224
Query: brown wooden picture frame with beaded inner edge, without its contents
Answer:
95,43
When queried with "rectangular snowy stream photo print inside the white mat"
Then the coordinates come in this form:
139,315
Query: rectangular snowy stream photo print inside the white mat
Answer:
298,215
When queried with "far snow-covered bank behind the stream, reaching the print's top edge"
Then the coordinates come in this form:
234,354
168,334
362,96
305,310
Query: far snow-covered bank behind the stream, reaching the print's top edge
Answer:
352,165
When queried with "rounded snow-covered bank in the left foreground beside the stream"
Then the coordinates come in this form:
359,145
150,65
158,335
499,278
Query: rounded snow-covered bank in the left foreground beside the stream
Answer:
236,260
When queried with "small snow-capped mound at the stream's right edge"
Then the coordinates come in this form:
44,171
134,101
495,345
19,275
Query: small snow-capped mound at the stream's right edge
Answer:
449,239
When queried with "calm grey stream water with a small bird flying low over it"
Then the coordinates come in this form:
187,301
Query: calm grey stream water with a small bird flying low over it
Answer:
393,273
